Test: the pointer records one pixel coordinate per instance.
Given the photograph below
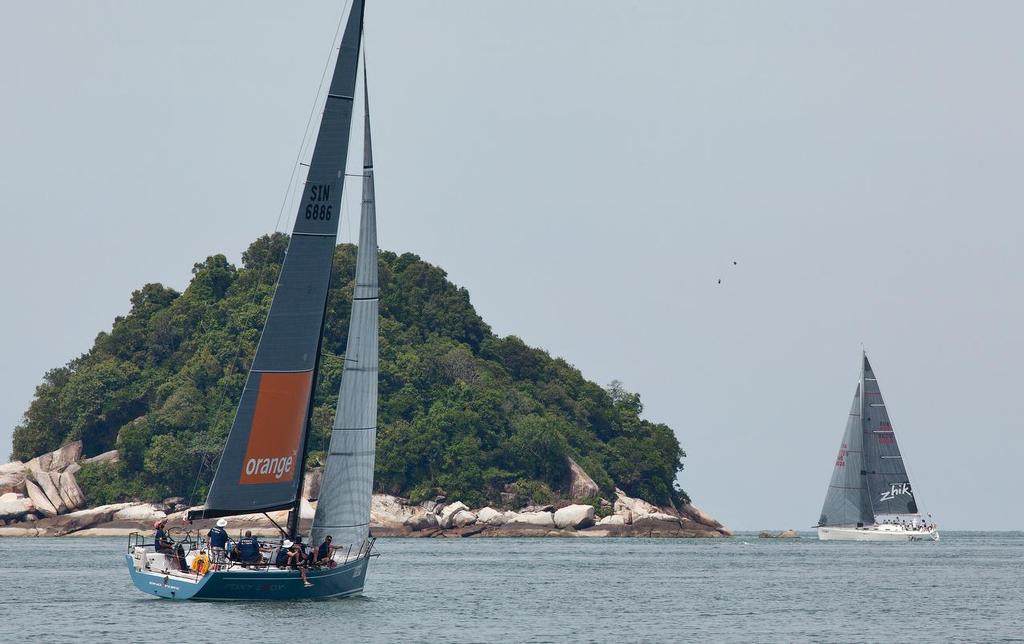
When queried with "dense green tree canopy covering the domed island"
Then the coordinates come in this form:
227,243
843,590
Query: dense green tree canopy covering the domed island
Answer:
462,412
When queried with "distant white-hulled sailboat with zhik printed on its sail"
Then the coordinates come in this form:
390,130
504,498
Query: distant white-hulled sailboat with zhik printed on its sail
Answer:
870,497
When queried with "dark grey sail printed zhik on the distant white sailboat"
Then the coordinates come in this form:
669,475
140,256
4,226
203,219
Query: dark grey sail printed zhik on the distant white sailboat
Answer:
887,480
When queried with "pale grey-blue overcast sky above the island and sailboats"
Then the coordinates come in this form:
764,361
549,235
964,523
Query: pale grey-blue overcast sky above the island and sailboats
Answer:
589,171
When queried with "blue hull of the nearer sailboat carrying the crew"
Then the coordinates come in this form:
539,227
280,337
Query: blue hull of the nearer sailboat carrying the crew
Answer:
249,585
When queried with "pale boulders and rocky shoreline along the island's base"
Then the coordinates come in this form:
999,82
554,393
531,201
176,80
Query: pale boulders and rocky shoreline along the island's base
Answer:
42,499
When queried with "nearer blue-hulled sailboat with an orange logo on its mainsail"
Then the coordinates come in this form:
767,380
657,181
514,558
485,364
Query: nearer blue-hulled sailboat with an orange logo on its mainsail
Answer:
263,464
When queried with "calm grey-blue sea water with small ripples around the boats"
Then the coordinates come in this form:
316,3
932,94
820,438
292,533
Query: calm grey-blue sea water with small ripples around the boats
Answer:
968,587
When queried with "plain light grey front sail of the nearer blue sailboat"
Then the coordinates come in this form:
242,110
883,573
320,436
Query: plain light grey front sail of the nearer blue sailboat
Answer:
344,508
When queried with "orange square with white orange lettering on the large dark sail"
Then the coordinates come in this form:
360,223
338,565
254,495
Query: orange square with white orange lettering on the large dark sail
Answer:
273,453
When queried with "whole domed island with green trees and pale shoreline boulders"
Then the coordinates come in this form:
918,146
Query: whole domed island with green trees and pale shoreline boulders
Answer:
478,435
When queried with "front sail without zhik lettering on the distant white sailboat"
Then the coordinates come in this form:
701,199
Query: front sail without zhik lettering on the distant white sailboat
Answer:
847,502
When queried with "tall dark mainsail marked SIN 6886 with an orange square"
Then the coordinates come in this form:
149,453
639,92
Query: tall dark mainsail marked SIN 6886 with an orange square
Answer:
262,466
